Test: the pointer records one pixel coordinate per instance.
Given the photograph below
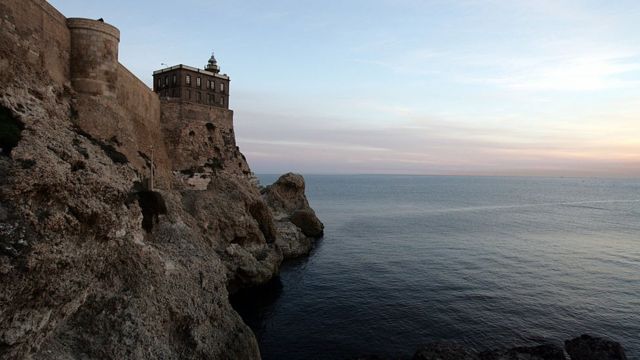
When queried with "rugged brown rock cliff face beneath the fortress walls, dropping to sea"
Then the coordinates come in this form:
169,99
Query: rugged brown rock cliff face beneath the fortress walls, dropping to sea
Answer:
94,266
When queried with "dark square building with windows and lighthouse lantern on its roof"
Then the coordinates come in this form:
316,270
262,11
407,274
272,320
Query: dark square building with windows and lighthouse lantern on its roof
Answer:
186,83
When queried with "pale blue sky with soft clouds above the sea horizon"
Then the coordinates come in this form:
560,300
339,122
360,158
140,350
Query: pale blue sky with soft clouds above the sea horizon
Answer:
468,87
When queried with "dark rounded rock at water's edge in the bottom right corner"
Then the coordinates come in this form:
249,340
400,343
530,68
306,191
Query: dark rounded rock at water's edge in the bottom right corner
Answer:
587,347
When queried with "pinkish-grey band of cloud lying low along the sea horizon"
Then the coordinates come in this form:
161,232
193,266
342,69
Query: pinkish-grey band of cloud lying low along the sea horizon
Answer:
440,145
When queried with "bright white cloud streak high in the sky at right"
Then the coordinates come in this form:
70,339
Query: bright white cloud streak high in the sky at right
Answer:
574,67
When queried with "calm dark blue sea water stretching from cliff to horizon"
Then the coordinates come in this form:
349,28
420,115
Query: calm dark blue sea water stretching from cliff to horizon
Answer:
487,262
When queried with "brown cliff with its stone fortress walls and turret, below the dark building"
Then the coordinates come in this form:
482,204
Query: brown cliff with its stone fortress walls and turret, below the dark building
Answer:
94,263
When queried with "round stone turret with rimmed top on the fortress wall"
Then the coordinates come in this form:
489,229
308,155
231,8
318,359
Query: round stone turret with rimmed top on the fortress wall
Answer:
94,56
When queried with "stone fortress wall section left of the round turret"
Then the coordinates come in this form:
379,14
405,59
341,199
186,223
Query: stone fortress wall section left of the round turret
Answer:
43,32
